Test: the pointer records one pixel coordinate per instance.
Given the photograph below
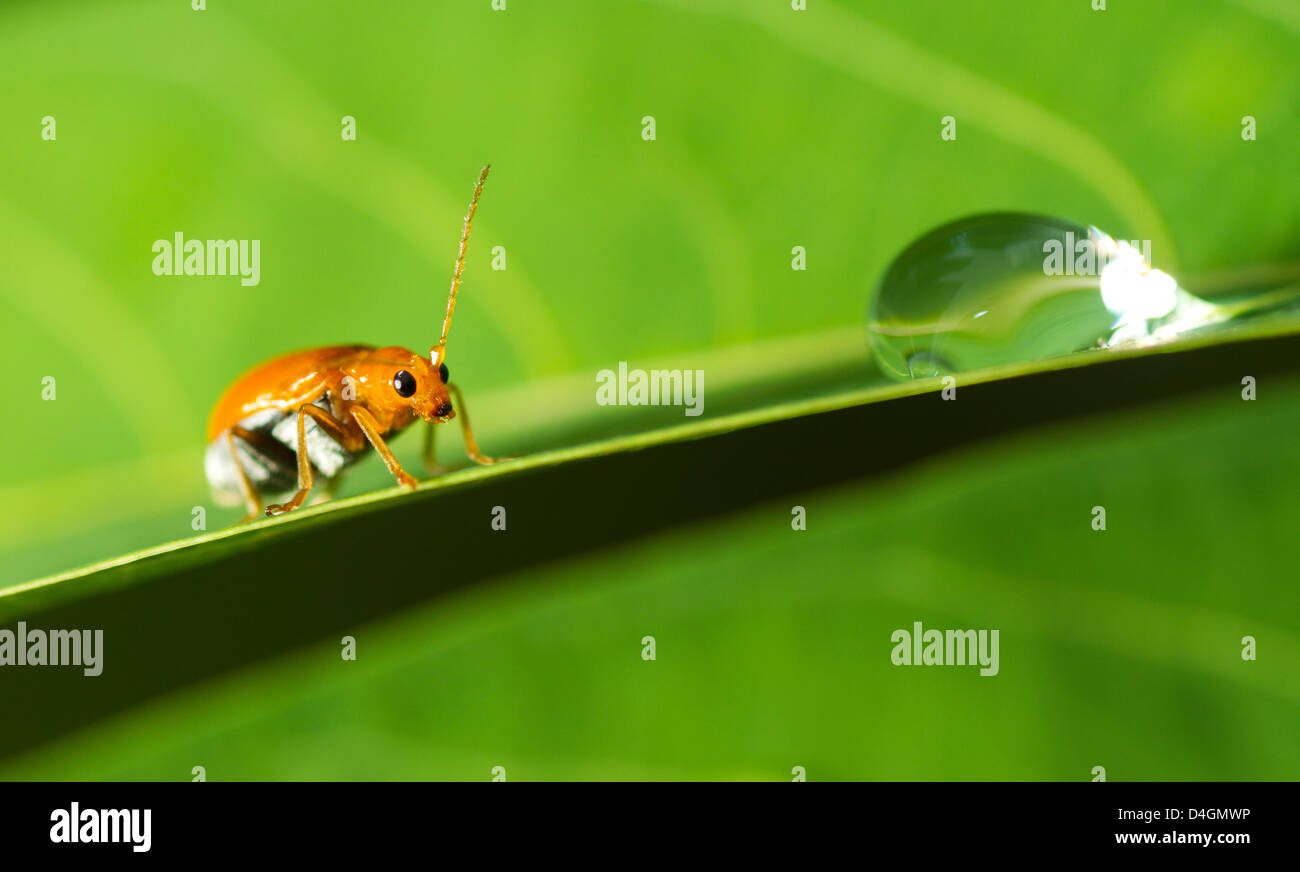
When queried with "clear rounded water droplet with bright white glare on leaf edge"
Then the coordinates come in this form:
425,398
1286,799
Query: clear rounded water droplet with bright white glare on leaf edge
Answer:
1008,288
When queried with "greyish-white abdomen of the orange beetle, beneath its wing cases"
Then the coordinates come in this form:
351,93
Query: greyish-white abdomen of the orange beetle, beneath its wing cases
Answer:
271,457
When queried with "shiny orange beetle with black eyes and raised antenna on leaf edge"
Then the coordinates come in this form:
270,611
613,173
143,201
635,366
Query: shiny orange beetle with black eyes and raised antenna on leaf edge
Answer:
320,409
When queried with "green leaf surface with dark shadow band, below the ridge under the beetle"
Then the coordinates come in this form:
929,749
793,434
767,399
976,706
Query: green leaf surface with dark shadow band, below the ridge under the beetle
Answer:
522,648
